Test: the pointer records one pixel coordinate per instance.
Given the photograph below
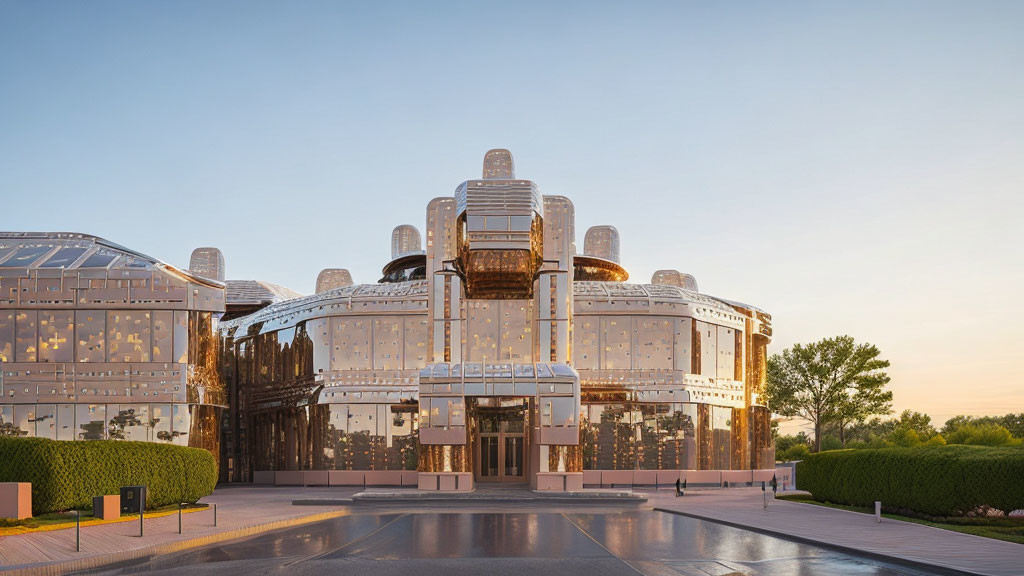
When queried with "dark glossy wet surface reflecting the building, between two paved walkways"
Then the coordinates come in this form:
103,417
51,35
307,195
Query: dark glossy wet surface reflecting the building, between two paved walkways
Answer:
651,543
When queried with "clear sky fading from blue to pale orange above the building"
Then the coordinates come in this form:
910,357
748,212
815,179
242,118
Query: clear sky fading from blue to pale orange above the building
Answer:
851,168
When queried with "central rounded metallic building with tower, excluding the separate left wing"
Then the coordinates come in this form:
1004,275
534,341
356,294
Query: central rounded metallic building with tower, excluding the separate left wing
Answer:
499,354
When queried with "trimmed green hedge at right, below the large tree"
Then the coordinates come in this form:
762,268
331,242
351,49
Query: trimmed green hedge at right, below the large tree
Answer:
941,481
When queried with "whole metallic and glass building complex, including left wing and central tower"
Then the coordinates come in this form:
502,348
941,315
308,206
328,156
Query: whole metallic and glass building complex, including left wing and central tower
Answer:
495,353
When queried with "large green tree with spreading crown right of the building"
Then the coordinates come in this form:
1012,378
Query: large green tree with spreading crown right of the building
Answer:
832,381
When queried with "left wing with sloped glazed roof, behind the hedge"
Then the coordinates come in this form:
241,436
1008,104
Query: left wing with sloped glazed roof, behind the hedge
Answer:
99,342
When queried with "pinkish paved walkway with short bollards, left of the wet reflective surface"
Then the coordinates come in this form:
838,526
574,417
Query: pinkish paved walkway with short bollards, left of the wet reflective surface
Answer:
242,511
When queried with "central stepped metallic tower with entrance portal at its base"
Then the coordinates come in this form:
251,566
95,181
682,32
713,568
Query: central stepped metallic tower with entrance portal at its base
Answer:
500,285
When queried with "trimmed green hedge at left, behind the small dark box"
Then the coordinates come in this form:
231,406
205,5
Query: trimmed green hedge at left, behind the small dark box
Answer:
68,475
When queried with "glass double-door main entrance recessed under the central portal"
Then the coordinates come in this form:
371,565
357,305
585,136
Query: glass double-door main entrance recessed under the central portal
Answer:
501,440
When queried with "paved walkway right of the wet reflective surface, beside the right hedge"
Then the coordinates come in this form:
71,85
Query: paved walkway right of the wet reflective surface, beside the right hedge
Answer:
855,532
